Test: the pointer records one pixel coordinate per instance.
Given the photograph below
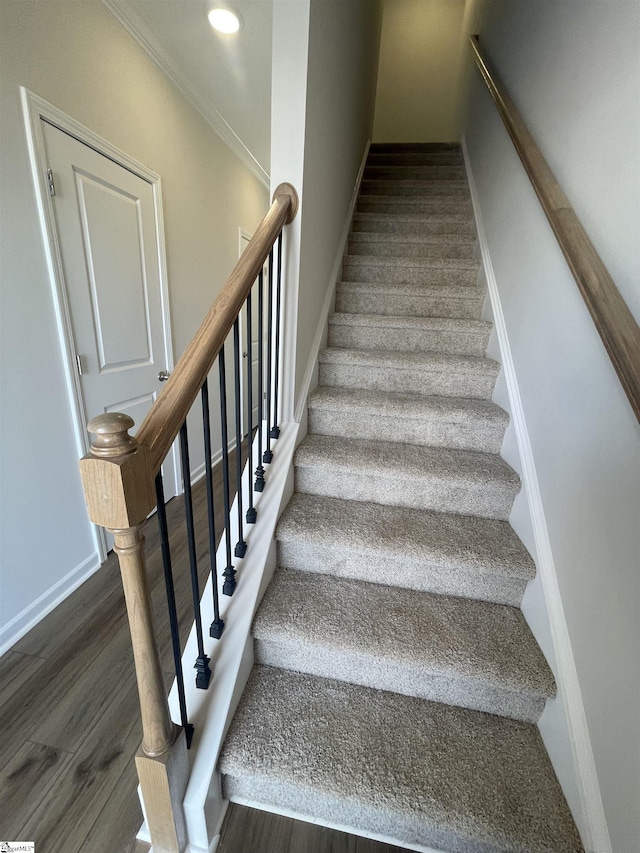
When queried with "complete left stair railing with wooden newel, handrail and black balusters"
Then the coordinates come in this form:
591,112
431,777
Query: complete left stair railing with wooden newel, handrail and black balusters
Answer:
122,481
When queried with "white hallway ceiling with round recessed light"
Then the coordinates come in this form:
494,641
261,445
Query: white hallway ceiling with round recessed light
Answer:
226,78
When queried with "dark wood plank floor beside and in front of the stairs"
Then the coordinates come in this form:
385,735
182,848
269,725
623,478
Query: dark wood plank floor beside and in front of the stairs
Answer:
69,718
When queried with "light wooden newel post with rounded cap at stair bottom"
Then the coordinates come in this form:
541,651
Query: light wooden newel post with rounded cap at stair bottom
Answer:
118,483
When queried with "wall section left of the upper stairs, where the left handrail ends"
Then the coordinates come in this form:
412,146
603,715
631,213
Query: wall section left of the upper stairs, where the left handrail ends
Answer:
319,136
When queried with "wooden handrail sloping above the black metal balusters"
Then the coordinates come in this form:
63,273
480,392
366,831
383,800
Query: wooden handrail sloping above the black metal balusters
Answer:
163,422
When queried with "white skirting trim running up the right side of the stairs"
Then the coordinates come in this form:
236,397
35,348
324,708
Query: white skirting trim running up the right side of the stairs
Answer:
594,823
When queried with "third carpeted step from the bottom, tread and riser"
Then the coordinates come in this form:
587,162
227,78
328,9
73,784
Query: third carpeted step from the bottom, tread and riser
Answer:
397,545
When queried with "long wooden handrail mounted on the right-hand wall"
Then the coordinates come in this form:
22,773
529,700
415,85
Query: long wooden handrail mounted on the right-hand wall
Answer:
616,325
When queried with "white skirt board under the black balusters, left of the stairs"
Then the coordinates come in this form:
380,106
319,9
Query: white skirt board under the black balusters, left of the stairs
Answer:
211,711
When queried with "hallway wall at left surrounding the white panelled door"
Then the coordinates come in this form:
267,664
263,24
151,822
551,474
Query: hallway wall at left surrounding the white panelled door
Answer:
76,56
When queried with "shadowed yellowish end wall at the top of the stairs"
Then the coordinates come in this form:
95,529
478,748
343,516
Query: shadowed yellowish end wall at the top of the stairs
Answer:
419,96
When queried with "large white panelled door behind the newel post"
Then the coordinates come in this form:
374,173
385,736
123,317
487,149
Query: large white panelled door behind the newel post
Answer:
106,227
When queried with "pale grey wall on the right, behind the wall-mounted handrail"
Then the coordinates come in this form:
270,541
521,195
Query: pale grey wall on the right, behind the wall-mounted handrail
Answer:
573,69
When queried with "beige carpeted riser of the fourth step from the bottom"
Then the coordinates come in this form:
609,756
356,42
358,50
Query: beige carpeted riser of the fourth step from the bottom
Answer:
488,500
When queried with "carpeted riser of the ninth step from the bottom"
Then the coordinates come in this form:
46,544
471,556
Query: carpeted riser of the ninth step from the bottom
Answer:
381,271
